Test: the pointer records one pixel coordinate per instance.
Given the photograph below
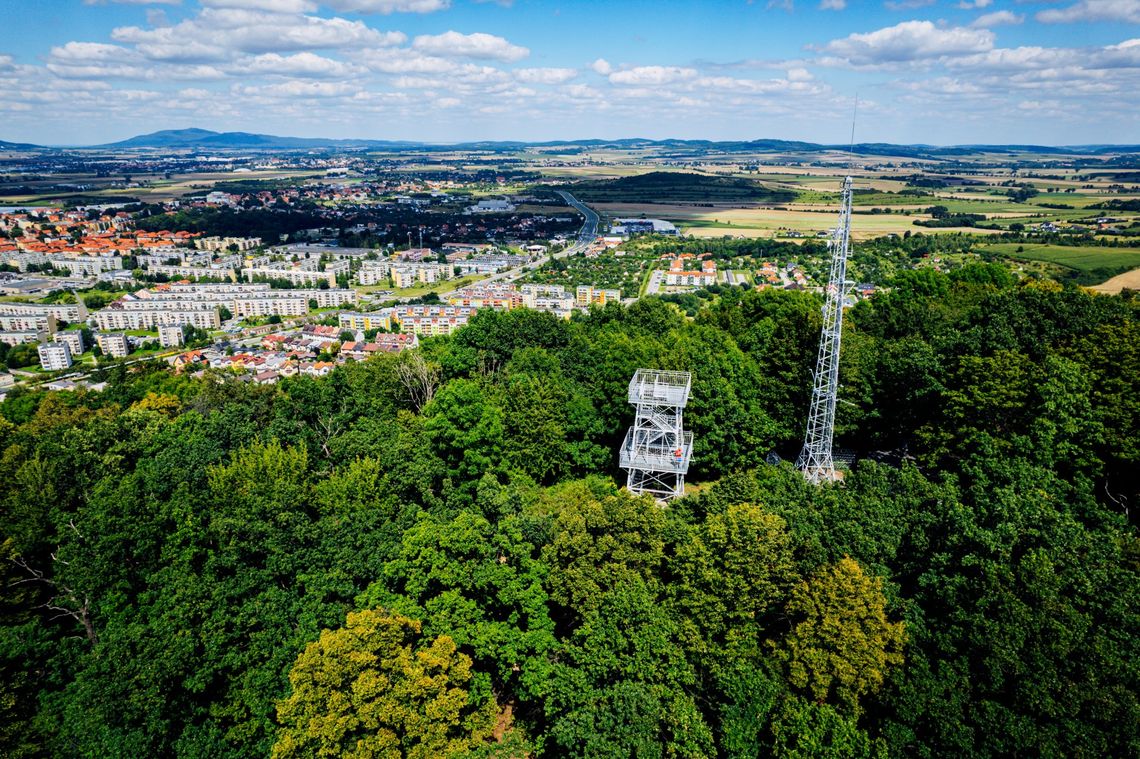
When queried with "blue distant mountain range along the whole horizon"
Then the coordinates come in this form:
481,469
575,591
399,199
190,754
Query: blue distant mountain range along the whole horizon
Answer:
203,140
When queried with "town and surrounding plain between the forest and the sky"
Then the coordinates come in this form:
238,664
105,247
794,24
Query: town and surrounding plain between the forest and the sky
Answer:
266,263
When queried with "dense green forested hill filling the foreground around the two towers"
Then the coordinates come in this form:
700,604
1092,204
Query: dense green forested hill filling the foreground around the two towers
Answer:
427,556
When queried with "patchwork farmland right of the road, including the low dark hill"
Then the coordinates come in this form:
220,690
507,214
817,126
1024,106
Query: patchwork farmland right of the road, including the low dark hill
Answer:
715,202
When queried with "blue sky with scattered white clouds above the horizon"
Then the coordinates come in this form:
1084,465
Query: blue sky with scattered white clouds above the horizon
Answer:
939,72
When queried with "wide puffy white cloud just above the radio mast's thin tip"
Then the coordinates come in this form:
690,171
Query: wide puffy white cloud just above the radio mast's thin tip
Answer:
908,42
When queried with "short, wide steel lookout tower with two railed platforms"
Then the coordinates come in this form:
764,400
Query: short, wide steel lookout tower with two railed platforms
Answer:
657,450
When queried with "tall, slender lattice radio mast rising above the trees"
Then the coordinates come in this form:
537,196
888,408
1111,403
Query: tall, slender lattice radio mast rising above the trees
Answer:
816,460
